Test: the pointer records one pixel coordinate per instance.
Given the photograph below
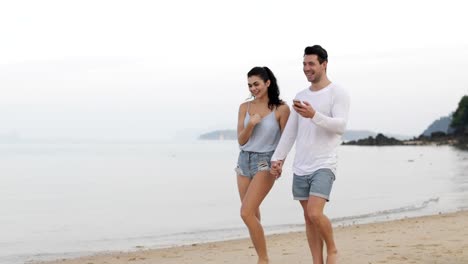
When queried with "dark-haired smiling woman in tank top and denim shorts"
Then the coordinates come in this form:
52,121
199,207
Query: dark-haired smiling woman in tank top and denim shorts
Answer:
259,128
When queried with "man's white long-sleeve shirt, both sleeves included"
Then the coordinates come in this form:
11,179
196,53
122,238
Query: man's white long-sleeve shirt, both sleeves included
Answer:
317,138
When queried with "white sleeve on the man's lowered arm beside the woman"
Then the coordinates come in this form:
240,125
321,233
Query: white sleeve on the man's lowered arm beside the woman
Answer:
288,137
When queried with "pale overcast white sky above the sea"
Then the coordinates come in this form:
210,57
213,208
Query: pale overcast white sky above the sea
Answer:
163,70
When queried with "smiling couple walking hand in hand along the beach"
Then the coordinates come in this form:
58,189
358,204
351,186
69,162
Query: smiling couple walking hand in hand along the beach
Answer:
267,129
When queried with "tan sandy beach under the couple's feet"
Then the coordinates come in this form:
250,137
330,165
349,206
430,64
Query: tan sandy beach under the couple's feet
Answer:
433,239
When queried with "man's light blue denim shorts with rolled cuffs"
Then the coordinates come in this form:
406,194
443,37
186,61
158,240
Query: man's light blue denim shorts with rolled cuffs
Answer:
317,184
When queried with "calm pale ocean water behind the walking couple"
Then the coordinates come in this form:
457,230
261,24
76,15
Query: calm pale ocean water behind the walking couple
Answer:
64,200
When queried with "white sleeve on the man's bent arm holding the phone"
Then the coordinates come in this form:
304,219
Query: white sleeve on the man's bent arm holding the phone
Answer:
340,110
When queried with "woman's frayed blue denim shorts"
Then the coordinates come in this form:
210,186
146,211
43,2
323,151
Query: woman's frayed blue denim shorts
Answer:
249,163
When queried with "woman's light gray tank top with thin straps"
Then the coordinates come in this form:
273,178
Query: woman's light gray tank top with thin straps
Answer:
265,136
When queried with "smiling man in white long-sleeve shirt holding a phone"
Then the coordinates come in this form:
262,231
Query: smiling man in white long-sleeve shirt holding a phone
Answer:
316,125
